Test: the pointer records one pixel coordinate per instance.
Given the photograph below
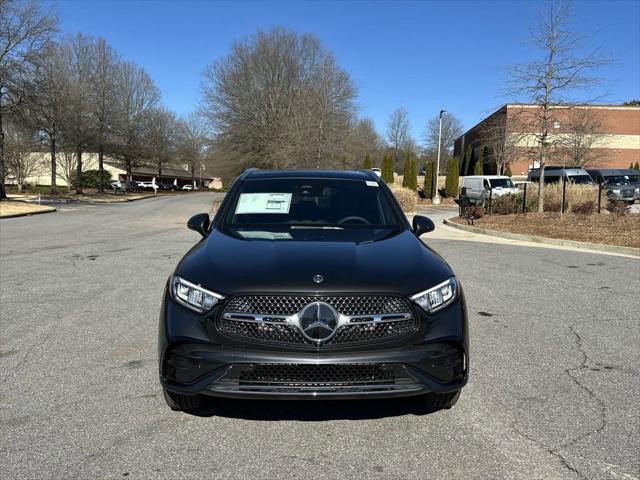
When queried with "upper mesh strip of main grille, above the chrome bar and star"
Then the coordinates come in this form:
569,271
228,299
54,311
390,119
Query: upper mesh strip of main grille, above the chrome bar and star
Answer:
288,305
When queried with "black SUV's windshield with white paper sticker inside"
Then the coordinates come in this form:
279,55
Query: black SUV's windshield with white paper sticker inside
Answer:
298,203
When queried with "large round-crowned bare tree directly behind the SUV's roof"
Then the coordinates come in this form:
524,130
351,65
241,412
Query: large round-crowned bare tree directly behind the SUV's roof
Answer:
277,100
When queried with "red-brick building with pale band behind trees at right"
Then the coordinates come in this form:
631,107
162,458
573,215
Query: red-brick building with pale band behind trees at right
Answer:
594,135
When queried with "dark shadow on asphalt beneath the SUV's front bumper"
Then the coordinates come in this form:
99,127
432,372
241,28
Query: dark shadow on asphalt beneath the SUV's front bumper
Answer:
313,410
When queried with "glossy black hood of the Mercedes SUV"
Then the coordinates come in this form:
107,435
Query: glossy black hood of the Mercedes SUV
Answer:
396,262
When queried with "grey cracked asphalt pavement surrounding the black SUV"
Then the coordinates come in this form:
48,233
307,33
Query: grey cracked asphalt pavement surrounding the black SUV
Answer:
553,392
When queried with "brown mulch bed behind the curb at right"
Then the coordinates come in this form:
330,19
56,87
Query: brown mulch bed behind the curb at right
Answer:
608,229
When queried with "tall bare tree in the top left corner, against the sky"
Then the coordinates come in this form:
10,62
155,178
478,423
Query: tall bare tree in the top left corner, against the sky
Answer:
25,30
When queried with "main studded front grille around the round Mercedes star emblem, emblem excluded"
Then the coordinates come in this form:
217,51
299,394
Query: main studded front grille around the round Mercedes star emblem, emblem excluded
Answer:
239,319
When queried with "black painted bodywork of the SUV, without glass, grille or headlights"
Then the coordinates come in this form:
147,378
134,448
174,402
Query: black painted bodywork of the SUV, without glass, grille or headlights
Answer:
397,264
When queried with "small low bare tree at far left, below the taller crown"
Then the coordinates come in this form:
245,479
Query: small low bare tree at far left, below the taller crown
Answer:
21,160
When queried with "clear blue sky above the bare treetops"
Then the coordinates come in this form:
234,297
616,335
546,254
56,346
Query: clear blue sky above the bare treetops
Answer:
423,56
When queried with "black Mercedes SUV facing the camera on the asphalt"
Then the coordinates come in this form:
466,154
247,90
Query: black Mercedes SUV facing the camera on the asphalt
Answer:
312,285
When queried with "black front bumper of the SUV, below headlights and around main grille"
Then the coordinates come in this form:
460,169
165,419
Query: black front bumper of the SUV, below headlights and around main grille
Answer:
194,359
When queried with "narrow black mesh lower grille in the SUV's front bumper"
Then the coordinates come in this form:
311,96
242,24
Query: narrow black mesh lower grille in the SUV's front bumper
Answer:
316,375
